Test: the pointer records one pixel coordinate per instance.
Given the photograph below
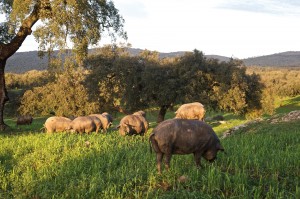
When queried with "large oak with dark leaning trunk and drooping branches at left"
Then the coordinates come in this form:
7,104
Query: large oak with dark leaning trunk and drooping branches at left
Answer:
60,21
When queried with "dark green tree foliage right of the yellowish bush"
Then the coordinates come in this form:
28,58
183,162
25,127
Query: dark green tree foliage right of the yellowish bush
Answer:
145,81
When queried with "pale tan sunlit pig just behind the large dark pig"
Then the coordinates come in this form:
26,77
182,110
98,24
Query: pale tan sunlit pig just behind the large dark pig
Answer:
194,111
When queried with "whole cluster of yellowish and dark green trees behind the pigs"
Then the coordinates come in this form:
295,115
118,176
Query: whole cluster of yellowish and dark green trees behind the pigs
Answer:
112,80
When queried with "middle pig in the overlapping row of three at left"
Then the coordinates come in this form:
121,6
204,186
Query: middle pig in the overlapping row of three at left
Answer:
83,124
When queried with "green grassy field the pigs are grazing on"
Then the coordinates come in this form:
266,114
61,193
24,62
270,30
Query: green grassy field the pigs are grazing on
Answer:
261,161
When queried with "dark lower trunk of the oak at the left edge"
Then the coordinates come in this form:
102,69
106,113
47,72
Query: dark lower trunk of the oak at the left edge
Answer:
3,94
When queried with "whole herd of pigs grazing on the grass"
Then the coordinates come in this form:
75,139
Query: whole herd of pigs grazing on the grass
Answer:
185,134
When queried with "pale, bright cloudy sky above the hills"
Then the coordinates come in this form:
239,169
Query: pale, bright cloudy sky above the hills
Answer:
232,28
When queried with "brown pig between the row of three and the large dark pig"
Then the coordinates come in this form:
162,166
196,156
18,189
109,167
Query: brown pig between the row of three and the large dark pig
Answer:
133,125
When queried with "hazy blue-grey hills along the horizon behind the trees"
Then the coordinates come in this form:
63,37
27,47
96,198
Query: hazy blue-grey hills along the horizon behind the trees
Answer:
26,61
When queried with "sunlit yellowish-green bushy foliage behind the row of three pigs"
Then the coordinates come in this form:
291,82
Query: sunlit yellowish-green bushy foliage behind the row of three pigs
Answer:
65,96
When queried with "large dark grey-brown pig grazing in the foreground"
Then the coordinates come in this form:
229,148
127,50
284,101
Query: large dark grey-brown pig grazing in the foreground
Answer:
182,136
